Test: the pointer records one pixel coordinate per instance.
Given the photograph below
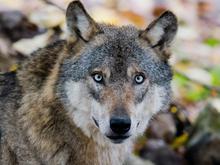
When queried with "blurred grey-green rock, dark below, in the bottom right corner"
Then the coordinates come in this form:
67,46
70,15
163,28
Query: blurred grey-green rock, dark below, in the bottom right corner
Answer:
203,147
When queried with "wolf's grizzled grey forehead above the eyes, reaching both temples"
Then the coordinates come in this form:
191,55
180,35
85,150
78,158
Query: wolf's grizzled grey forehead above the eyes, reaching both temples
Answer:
117,48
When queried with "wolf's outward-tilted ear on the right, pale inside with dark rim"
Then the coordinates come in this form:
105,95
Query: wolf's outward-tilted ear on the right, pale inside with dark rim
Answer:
161,32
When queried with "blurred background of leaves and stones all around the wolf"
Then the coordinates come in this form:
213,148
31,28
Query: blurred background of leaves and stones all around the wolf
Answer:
190,132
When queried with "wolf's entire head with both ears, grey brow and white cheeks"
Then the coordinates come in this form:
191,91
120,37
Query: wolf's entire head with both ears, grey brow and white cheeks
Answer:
115,78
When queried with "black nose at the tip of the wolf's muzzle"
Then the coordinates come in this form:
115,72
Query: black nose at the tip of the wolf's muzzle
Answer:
120,125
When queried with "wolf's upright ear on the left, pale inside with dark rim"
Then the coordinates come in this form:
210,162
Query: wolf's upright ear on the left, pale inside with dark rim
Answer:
79,23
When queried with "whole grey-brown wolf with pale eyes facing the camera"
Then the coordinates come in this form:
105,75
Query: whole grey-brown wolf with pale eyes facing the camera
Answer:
84,100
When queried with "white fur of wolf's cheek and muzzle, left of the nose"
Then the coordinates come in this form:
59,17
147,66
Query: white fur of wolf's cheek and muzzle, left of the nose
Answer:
82,108
